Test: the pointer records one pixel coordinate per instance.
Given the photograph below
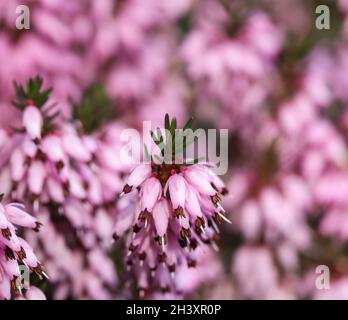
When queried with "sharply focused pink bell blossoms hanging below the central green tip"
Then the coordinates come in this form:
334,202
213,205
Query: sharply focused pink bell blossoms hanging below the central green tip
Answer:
173,211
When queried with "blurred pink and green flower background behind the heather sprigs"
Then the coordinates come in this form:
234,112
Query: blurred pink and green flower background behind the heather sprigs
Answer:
260,69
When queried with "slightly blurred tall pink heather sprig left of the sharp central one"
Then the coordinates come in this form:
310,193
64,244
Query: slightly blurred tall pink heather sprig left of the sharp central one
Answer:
71,181
